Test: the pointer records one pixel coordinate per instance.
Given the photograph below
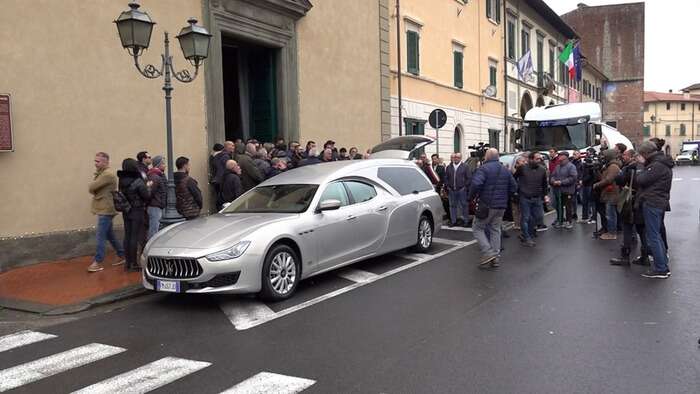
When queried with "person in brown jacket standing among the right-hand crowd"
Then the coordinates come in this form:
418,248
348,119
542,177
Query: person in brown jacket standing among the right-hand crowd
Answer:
609,191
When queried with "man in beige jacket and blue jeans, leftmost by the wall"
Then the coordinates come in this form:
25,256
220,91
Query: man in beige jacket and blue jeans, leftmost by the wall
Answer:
101,188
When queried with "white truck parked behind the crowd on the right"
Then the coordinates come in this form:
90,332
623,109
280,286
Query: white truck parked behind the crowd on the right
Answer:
575,126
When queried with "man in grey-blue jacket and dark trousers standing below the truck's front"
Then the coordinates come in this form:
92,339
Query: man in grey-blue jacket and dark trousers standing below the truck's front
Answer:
563,181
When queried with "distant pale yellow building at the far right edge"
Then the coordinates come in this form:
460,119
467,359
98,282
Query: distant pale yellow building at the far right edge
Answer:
674,117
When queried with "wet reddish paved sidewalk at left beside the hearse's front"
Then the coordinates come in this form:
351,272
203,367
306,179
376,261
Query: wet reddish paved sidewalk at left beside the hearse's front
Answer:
65,286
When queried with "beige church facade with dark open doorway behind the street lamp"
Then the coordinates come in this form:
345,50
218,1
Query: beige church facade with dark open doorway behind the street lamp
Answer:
304,70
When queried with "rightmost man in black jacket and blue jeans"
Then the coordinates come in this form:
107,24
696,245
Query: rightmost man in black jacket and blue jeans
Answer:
654,198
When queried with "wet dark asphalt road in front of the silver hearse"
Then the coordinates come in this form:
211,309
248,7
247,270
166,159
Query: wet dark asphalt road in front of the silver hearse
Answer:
556,318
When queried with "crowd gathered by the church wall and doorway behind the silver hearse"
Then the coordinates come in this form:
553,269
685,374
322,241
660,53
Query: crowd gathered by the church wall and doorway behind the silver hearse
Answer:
139,190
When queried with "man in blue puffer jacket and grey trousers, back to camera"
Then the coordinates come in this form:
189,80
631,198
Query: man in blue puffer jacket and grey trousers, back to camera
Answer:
493,185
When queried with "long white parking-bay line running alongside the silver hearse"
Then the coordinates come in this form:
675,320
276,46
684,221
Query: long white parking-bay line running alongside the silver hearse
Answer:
239,318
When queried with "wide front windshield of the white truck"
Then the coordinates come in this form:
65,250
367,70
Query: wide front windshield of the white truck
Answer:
561,137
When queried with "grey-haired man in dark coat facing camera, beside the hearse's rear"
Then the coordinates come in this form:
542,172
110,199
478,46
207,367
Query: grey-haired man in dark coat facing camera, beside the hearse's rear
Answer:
457,179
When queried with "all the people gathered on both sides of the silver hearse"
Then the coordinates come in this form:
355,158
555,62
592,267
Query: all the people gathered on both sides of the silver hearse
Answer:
620,190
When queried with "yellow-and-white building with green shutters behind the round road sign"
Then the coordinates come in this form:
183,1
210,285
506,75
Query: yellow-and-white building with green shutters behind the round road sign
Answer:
451,51
